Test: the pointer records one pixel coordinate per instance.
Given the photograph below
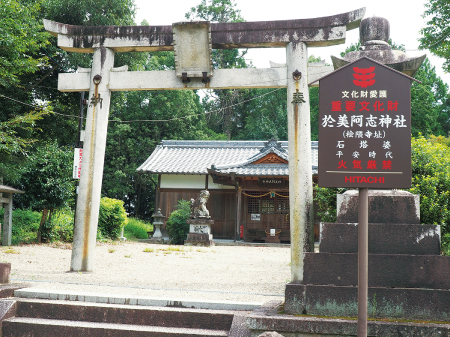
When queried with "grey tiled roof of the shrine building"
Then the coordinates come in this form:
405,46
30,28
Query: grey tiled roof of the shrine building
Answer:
196,156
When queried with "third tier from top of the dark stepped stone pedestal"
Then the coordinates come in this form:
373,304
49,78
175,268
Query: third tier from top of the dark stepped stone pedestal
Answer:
395,271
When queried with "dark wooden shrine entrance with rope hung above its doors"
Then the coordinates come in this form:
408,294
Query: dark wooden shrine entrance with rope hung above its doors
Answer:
266,216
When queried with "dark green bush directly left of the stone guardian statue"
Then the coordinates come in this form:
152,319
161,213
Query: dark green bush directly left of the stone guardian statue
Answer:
177,225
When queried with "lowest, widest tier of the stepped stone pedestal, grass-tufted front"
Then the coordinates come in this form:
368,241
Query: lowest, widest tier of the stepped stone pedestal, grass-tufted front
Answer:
392,303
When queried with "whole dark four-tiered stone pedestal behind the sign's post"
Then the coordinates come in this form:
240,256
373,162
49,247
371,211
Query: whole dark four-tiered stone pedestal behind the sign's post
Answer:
408,278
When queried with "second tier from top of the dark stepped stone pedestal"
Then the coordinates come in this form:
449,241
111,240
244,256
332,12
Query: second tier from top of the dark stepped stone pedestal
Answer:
414,239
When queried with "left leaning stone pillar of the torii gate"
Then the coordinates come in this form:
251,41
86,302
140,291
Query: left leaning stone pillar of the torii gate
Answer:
88,204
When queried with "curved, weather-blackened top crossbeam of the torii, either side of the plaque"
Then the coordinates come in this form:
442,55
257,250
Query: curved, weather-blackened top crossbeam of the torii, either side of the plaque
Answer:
323,31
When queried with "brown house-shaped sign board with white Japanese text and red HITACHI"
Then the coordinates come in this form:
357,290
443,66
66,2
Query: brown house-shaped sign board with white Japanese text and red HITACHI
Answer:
365,127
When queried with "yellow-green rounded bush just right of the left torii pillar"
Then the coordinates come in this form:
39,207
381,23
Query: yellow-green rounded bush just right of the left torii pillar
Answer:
111,218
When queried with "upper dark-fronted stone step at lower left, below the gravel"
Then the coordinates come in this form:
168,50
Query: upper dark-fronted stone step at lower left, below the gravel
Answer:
125,314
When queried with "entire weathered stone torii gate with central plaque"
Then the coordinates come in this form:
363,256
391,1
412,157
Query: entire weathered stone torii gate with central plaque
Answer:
192,43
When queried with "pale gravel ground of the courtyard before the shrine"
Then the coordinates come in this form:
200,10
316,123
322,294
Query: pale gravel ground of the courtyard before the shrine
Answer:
231,273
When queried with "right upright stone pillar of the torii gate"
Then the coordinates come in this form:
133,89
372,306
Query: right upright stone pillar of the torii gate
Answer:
300,169
